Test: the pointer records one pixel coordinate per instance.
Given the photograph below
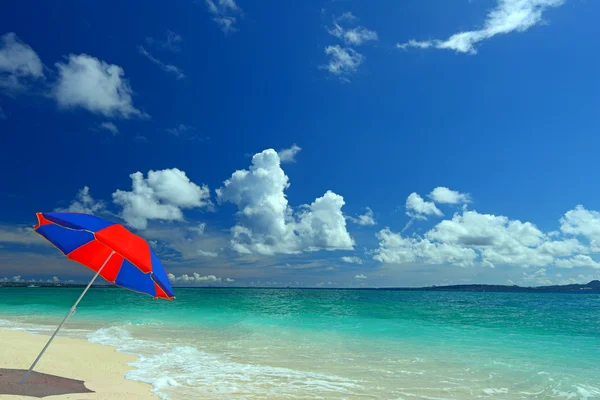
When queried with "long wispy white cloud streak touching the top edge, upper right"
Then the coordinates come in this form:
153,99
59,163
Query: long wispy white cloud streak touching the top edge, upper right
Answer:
508,16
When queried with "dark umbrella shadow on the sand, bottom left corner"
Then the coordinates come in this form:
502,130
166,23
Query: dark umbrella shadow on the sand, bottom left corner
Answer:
38,384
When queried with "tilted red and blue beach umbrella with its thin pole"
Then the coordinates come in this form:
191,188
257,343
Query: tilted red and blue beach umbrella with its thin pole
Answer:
109,249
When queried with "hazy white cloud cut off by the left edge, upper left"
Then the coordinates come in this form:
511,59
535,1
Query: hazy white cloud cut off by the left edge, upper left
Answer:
18,62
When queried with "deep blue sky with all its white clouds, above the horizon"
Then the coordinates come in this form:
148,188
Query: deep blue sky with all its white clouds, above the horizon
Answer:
492,102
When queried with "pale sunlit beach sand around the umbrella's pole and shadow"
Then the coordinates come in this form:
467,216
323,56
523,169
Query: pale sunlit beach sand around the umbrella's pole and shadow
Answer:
101,367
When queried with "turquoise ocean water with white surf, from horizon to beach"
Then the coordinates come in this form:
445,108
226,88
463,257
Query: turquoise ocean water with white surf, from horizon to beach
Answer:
335,344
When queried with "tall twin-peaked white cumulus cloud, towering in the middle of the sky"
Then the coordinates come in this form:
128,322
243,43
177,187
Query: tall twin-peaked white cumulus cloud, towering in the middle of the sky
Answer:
268,225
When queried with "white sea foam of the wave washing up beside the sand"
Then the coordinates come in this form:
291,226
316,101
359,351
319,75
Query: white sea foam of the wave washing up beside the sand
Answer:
178,372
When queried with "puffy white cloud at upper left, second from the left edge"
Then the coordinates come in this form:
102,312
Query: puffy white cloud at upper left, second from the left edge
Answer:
99,87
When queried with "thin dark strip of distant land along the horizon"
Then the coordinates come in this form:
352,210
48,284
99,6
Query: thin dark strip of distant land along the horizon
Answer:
591,287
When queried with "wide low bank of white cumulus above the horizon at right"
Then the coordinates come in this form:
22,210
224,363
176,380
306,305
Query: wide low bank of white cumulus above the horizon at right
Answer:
471,238
